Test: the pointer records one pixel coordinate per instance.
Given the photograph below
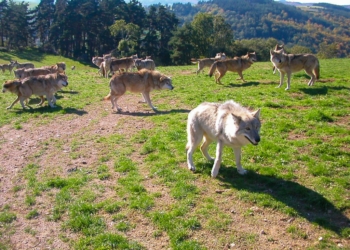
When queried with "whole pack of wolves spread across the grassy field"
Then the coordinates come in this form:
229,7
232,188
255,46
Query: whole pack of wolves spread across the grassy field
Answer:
227,124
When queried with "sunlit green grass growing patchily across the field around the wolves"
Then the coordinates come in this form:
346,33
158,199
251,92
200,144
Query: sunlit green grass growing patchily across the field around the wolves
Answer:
300,169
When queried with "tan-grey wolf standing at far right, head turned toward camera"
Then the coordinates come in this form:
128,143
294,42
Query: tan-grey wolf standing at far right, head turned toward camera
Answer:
291,63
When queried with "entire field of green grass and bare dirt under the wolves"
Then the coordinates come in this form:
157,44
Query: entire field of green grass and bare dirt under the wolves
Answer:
120,181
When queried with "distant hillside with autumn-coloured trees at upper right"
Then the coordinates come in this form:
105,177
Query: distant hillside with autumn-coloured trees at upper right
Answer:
303,25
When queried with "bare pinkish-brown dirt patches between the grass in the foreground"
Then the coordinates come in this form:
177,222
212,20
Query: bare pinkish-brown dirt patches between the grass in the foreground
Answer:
21,147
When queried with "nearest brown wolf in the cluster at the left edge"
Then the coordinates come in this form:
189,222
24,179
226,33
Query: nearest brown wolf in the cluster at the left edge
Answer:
43,85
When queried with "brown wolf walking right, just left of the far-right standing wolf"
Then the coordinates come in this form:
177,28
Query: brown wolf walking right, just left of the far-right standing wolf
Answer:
237,64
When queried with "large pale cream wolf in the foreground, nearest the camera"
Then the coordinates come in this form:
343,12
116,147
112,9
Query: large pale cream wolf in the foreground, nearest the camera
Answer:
227,124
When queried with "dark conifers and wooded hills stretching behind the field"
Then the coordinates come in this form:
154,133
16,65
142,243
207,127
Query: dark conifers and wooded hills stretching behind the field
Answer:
173,34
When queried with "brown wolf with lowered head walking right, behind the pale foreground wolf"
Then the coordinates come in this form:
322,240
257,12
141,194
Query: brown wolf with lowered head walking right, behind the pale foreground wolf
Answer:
143,81
